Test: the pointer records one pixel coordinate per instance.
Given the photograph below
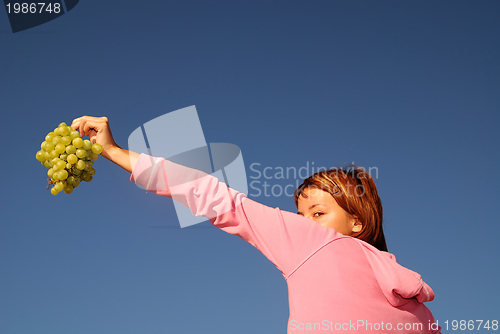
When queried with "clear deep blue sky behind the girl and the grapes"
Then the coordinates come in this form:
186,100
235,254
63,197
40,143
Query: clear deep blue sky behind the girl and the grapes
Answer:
409,88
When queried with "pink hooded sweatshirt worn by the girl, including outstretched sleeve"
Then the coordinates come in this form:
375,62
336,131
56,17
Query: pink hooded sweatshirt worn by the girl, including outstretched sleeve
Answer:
335,282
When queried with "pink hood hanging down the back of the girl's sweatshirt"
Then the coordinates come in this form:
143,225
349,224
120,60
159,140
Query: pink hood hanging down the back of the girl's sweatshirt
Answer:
399,284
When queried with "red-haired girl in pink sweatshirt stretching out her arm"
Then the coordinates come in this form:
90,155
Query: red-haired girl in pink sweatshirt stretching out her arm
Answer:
332,253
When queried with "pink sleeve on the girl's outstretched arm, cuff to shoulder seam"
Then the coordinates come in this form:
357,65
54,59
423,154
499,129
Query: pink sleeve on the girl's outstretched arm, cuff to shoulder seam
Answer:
285,238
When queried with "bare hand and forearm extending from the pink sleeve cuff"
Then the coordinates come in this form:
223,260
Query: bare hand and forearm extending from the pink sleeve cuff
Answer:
98,130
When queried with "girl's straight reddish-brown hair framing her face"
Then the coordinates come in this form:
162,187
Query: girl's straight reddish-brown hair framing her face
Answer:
355,192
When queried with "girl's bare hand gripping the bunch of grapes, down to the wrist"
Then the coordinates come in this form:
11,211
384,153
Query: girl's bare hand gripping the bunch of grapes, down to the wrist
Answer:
97,129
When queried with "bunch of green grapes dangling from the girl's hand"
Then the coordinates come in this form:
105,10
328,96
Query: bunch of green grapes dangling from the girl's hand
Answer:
69,159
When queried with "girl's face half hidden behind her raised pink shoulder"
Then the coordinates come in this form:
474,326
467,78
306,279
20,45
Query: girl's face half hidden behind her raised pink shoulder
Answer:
321,207
